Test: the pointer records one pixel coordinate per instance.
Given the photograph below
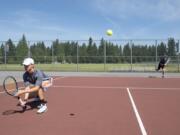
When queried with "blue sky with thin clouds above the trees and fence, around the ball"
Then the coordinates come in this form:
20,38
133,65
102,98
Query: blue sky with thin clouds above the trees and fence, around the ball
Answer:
81,19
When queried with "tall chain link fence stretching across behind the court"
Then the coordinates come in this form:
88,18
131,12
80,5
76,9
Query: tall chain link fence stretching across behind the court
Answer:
90,55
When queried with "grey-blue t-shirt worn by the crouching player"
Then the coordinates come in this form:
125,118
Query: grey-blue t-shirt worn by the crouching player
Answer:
35,78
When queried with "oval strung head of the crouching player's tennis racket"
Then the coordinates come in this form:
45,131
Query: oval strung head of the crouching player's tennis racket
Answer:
10,85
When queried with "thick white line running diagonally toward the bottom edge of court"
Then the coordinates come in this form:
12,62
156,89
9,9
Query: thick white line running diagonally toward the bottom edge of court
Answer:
143,130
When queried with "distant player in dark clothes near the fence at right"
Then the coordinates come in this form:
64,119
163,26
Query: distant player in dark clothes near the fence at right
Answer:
162,63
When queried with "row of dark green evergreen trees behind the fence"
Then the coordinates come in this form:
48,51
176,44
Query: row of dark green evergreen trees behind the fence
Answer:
89,52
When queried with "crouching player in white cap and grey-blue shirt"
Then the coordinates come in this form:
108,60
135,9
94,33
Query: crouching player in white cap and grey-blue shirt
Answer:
35,82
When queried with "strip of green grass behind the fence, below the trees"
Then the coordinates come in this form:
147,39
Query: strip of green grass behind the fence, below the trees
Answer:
91,67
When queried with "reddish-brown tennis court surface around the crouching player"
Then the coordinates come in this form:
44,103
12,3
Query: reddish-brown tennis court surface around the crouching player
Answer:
99,106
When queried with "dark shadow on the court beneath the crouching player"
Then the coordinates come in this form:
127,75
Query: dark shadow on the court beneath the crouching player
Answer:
29,106
